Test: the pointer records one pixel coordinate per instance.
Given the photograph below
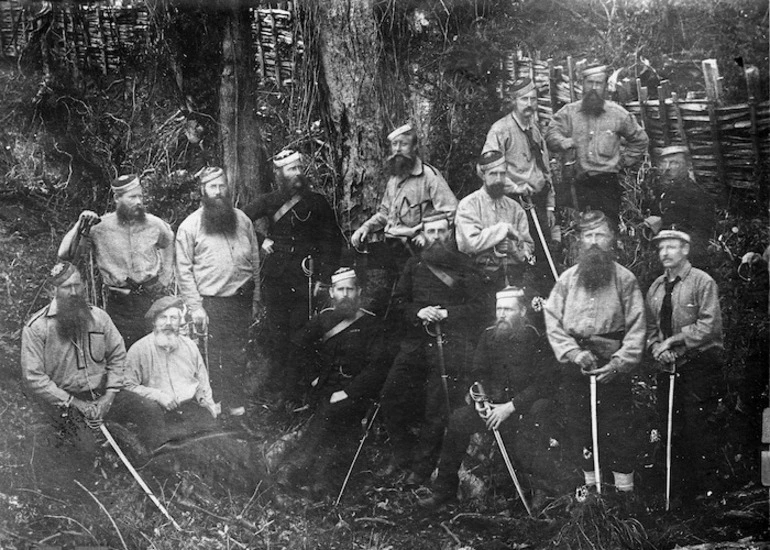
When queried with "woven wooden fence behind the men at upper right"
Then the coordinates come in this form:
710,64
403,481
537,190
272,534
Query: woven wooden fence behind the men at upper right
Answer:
729,144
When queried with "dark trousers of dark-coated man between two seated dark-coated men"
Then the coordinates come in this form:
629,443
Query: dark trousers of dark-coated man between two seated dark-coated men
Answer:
413,399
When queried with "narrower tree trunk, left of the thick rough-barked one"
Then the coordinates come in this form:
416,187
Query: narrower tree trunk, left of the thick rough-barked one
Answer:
243,156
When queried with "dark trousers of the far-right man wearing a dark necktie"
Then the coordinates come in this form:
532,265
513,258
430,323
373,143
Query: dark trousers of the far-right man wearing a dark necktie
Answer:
695,447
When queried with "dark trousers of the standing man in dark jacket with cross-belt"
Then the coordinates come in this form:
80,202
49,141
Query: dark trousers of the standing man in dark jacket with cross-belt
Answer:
286,304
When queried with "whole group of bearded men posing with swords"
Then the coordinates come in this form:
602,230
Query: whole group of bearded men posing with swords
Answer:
447,267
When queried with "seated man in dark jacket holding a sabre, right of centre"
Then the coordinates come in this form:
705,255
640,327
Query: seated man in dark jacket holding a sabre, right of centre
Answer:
513,363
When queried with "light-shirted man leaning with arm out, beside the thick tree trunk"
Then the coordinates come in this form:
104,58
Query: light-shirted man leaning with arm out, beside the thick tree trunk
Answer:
413,187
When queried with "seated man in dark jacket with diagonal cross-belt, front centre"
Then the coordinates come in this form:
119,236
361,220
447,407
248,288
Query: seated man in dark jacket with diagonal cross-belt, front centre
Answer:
346,346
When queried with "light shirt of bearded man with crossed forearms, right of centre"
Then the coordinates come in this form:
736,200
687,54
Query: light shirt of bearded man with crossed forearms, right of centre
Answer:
482,223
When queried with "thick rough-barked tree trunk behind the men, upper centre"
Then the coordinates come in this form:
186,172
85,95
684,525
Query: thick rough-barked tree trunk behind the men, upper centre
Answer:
349,53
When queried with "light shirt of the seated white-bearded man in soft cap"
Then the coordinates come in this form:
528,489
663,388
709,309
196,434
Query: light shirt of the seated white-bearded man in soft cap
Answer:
152,371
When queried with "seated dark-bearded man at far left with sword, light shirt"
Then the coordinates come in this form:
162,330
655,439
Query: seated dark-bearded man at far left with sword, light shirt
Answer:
72,361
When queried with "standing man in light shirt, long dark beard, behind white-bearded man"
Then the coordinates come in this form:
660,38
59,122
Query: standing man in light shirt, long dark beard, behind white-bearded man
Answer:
217,261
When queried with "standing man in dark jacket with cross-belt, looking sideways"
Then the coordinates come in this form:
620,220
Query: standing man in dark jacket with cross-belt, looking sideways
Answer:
302,233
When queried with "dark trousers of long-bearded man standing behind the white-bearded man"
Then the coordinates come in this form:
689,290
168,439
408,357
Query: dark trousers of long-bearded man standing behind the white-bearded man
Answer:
229,319
